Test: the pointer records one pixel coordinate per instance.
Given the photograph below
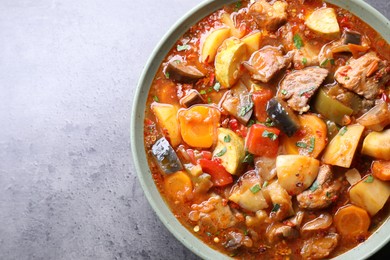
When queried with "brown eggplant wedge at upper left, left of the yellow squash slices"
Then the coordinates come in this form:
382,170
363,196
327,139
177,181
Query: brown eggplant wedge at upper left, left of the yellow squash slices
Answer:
182,73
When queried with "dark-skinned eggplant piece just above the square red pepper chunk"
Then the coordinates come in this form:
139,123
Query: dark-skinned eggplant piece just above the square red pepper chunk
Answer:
283,117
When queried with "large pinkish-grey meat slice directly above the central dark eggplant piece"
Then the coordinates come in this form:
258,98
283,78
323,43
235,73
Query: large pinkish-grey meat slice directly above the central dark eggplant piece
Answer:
300,85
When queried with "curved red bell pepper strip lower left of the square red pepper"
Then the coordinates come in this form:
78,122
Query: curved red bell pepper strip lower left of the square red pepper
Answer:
219,175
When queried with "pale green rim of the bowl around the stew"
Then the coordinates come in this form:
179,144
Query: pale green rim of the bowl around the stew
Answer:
371,17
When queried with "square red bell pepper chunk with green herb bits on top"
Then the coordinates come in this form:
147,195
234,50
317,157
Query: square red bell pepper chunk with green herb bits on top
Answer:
262,140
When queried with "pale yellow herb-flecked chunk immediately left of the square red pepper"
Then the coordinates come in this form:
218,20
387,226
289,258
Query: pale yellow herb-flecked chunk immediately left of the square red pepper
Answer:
229,149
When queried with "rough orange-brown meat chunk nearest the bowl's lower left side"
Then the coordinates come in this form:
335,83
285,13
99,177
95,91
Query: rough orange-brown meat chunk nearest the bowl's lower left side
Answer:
213,214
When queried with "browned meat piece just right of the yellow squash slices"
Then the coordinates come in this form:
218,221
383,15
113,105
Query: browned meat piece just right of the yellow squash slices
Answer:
266,62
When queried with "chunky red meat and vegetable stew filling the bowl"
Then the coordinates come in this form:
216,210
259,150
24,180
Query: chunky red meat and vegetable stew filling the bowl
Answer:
267,130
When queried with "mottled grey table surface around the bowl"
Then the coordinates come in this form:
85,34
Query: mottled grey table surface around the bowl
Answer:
68,74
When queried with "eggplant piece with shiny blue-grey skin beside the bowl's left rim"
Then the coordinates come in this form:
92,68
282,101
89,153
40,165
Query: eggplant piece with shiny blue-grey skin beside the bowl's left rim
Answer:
166,157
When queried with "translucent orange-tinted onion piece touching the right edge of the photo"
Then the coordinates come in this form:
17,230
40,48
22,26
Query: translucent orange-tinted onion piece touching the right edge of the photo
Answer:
377,118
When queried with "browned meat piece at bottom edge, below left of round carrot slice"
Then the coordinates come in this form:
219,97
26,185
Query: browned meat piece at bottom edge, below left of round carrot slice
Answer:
319,247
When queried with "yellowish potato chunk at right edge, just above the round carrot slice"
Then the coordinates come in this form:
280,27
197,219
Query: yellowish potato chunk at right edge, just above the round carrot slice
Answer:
370,194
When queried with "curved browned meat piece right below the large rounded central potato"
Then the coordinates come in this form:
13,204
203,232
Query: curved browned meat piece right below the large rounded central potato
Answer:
322,192
